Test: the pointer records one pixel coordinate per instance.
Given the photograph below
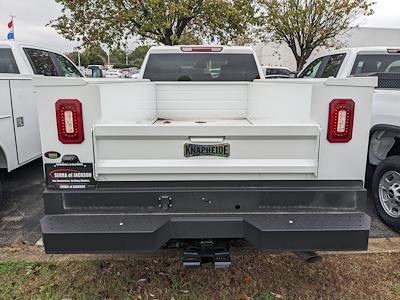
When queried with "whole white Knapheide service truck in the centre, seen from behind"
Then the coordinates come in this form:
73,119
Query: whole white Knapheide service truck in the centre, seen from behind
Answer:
201,151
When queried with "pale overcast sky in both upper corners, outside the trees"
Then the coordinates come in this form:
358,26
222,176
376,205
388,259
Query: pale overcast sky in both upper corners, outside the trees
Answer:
31,17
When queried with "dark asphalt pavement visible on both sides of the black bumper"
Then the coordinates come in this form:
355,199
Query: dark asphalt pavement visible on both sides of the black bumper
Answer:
22,207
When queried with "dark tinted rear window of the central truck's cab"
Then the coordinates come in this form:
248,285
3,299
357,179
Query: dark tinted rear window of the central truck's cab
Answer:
201,67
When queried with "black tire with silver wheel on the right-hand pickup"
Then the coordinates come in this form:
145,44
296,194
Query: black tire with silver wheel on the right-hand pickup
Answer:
386,191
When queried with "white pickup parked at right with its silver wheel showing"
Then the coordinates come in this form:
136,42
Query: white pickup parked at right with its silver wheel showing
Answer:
384,146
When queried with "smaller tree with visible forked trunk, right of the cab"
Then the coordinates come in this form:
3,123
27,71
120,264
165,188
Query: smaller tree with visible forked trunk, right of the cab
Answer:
307,24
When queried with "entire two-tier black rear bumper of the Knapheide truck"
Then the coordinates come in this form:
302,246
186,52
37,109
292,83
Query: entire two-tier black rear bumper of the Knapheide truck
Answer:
271,215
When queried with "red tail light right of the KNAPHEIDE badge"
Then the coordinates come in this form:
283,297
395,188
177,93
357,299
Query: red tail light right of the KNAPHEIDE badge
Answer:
341,117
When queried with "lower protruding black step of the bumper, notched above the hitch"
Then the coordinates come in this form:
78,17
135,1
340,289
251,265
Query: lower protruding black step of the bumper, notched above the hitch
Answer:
268,231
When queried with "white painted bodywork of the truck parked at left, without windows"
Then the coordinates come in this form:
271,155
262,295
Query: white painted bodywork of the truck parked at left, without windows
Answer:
20,145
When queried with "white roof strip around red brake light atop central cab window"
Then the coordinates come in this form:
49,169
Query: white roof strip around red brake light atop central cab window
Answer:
196,48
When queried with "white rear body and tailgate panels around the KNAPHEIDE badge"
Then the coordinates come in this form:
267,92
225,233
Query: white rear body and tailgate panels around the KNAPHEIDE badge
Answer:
276,128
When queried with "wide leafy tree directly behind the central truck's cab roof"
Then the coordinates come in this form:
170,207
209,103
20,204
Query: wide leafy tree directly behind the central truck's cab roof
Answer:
112,22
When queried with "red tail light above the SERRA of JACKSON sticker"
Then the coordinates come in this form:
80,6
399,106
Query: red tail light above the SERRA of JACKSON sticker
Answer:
69,121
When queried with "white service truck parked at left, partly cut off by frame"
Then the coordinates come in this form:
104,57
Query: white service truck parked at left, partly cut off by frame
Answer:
19,128
